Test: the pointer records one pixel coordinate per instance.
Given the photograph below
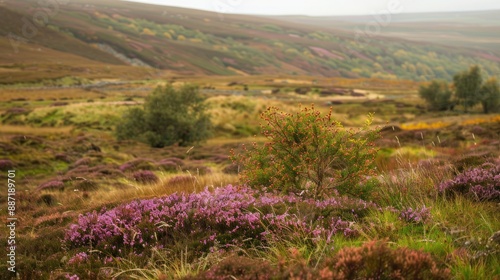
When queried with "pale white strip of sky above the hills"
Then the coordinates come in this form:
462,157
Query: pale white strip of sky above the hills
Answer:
328,8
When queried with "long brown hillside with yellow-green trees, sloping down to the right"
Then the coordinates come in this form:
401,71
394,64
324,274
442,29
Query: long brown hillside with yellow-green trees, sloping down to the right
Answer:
192,42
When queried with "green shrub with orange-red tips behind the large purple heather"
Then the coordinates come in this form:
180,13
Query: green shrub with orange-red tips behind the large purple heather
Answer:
310,154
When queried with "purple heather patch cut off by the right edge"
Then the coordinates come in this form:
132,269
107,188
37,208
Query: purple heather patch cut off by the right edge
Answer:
481,183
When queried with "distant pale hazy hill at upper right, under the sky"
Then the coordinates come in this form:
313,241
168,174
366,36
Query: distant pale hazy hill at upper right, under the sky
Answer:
478,30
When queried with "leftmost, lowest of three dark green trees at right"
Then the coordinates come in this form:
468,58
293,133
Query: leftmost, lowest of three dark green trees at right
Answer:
437,94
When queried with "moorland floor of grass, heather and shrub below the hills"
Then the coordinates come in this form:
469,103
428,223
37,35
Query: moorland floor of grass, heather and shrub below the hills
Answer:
406,200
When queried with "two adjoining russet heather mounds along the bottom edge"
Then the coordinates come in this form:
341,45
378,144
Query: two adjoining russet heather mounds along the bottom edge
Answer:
373,260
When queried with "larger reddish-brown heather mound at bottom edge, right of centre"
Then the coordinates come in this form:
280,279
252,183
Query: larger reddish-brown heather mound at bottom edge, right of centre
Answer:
375,260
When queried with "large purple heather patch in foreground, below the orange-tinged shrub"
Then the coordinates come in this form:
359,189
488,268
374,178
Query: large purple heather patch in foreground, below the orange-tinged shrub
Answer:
228,216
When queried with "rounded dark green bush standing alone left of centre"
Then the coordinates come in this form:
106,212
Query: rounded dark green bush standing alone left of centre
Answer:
169,116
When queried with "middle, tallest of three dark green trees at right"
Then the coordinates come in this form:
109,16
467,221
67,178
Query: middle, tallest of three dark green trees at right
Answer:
467,87
